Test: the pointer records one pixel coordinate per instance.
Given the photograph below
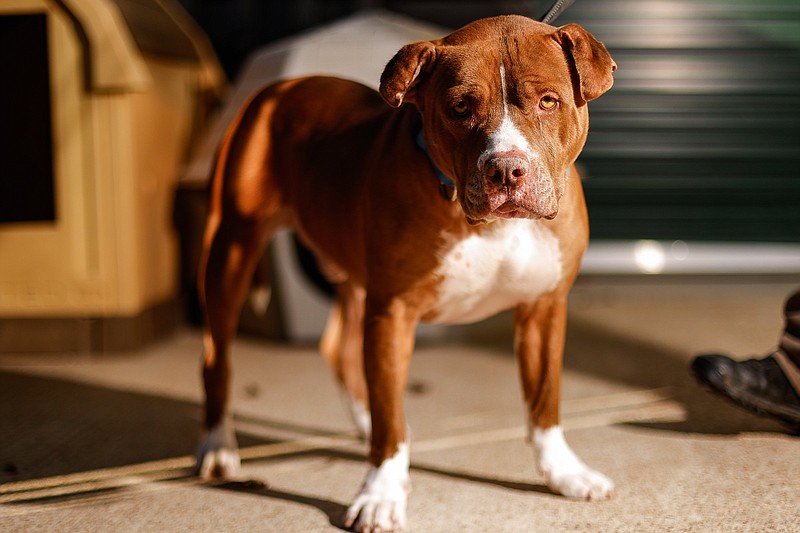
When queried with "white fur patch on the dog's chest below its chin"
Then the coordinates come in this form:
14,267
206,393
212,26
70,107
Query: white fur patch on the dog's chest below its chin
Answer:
512,262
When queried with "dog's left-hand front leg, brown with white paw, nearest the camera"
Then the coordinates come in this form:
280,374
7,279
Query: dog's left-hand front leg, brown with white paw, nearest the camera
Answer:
388,343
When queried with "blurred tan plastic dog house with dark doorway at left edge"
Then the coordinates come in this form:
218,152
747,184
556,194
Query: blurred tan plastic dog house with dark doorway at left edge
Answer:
107,97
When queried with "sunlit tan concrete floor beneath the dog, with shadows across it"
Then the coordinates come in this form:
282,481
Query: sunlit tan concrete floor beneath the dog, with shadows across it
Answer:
104,443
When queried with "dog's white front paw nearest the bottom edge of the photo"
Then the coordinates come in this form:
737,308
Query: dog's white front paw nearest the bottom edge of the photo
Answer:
380,507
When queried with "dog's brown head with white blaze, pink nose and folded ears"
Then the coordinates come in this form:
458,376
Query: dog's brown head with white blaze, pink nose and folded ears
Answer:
503,104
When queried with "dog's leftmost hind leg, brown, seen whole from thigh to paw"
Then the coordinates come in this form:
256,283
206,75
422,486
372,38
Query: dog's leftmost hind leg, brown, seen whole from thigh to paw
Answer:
243,214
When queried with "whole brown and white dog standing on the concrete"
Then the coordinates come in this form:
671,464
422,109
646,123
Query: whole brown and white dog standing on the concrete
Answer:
498,110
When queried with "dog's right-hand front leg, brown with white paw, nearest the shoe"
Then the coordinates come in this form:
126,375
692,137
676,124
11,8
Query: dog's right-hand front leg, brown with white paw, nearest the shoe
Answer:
539,344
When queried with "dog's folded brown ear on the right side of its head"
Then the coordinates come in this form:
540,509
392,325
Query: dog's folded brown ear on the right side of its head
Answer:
591,63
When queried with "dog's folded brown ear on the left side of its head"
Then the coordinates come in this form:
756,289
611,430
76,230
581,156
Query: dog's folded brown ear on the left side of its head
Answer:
402,73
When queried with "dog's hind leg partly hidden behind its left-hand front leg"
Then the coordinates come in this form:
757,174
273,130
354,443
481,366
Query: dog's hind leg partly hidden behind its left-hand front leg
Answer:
342,345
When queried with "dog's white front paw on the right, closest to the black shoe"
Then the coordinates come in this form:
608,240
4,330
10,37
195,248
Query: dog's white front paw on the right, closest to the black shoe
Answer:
564,472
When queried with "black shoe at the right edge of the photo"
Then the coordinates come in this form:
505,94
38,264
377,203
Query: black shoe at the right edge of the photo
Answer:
756,384
